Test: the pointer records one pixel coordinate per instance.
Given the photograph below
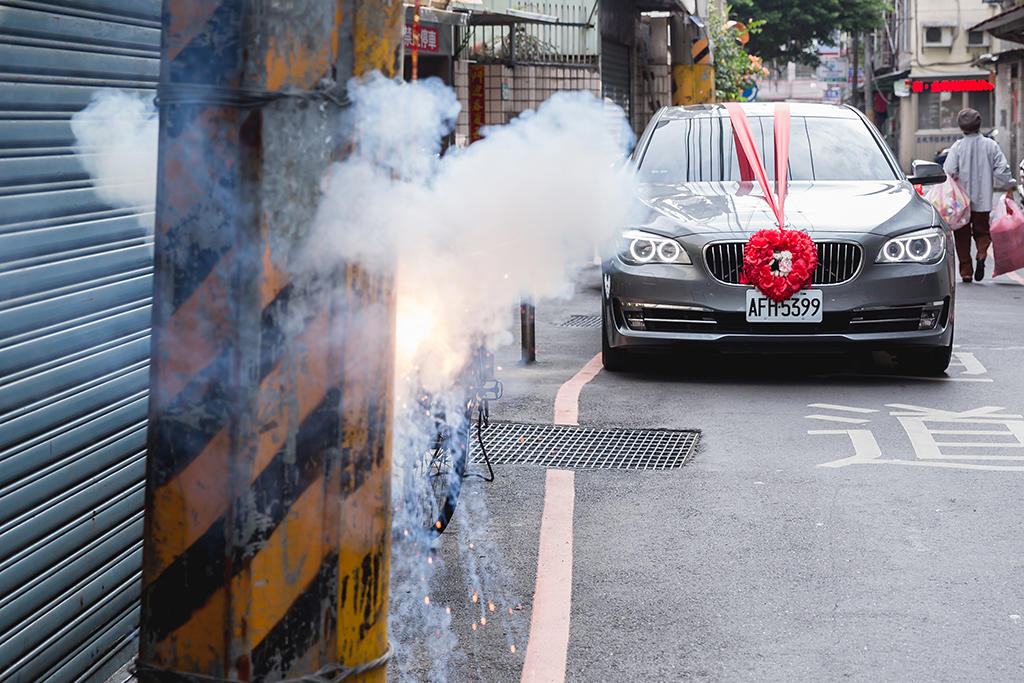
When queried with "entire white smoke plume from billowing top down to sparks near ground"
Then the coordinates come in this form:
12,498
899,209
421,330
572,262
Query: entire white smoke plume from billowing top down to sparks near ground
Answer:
467,235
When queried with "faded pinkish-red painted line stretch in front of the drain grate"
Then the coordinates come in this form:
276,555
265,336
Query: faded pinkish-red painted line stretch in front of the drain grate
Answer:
548,646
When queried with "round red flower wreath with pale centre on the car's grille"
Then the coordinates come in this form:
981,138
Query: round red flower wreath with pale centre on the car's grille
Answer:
780,263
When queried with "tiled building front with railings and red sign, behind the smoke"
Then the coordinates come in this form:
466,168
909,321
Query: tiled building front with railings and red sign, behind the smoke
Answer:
503,59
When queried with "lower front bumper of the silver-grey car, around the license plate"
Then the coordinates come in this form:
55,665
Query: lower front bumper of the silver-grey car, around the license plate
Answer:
656,306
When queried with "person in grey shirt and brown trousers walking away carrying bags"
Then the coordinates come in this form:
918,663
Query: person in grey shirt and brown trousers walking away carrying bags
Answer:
978,164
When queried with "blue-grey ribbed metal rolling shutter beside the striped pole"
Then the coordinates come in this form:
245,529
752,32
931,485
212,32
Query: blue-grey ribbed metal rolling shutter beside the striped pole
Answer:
75,288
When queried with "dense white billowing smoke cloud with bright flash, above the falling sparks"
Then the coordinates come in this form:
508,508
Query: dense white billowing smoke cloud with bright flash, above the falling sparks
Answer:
514,215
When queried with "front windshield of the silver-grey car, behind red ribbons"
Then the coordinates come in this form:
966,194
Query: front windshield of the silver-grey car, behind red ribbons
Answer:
702,149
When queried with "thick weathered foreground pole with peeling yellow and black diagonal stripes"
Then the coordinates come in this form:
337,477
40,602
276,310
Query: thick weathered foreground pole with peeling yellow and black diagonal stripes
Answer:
268,488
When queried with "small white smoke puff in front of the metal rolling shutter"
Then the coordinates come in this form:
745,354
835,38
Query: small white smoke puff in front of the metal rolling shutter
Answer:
116,140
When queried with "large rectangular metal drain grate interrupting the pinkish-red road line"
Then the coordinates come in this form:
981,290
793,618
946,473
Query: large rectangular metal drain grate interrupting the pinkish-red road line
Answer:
581,448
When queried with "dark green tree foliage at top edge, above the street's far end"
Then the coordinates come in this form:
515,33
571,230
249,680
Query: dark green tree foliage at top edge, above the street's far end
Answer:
791,27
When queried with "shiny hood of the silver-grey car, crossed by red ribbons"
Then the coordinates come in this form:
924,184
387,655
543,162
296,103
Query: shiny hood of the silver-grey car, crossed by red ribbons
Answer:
878,207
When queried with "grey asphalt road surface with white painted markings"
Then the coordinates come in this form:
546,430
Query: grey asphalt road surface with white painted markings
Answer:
755,562
